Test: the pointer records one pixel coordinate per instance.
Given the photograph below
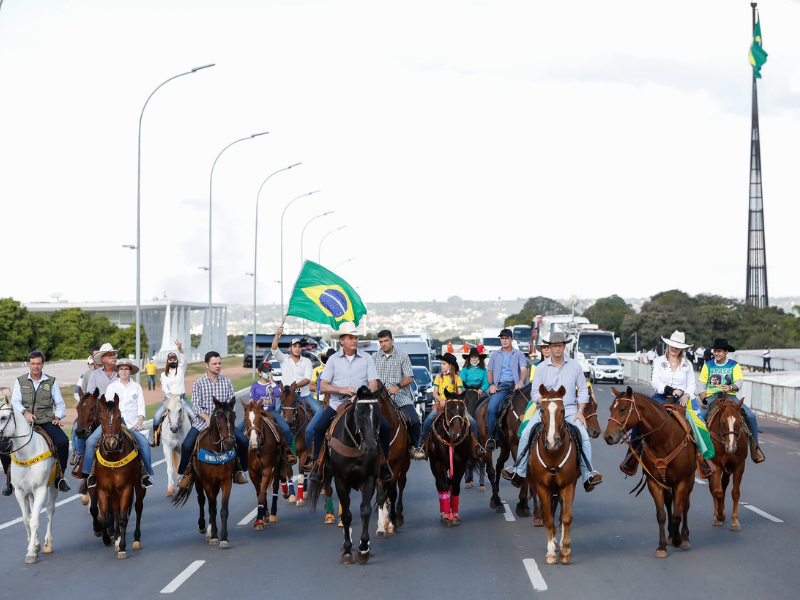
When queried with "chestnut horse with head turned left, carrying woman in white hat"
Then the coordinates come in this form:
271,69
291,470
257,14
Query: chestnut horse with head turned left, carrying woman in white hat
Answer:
669,479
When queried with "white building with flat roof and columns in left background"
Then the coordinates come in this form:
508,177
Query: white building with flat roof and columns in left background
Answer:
164,321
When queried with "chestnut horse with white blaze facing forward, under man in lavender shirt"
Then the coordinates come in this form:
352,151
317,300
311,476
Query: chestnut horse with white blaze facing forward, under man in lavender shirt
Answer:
553,470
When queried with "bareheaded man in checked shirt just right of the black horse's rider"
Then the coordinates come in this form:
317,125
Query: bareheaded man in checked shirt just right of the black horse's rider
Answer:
396,373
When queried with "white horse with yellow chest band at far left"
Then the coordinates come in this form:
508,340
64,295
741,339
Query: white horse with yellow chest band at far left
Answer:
33,477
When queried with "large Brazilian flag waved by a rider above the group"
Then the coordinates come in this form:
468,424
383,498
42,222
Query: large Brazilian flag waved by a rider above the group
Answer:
322,296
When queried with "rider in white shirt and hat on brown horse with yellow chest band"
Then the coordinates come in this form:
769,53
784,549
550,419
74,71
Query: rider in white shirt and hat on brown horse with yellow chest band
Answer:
131,407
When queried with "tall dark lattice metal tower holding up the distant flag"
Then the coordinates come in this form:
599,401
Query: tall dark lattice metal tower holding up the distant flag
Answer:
756,251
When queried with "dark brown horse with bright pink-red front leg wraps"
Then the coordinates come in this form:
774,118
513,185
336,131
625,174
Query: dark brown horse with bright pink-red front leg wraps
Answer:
448,454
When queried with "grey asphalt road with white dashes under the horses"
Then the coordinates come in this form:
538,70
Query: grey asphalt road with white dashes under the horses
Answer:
614,538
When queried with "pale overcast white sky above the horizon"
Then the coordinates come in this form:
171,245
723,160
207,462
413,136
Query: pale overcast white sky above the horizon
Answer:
475,148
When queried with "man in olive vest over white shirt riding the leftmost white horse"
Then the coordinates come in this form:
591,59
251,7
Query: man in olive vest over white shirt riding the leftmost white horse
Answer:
38,397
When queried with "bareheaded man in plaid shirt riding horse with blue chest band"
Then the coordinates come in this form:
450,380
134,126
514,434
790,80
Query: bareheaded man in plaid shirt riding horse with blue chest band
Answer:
210,386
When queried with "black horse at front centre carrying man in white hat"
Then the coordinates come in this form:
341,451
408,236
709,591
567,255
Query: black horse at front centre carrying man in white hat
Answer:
351,461
